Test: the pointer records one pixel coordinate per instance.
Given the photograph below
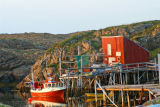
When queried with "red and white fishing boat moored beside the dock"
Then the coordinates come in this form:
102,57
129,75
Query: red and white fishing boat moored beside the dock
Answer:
47,88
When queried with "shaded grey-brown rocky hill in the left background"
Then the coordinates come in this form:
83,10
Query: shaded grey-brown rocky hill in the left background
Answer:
18,52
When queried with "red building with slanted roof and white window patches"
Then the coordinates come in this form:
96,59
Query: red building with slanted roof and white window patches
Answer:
121,49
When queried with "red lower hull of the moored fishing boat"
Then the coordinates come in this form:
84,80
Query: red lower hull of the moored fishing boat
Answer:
59,93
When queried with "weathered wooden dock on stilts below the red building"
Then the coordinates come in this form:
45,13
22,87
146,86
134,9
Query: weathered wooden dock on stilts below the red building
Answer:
119,82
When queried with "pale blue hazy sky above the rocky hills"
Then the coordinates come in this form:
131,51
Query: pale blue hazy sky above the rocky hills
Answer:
67,16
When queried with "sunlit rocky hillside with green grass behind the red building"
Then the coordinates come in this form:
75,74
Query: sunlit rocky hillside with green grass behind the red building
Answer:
146,34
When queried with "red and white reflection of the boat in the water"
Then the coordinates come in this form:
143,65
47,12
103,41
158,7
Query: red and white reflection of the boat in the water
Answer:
47,101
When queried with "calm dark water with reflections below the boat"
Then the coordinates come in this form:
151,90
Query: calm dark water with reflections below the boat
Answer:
16,99
